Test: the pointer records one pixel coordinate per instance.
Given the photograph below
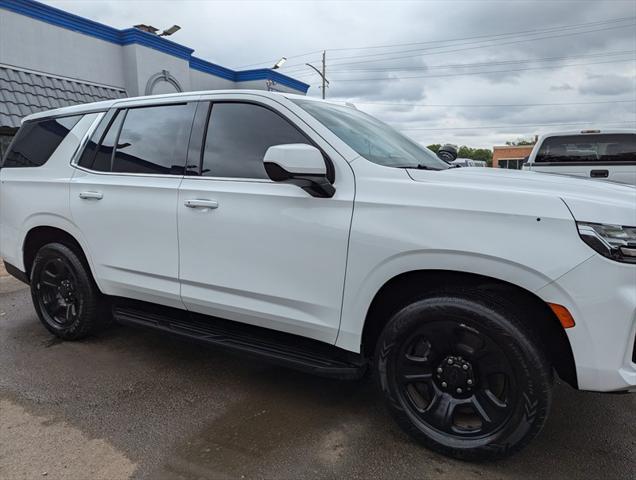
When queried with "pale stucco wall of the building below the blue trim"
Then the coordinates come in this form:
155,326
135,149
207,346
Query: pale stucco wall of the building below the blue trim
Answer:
42,47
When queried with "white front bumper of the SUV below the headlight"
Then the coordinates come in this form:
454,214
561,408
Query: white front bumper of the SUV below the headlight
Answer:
601,296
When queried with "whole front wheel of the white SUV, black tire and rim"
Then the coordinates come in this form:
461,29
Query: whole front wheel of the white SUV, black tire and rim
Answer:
462,375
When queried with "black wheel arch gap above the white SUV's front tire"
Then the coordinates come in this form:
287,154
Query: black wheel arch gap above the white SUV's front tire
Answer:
405,287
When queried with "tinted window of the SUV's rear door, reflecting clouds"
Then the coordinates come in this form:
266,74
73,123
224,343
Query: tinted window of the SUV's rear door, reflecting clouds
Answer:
150,140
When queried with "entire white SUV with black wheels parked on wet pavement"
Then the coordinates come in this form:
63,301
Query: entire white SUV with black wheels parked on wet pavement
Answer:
313,235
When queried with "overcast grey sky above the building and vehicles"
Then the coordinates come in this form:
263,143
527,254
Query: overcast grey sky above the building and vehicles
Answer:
590,46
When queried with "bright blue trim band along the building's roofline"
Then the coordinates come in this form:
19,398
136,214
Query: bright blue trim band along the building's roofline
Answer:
128,36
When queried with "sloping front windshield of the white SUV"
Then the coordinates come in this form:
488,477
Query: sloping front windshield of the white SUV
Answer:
374,140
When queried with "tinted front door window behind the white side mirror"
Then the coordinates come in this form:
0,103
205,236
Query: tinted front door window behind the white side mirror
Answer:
238,136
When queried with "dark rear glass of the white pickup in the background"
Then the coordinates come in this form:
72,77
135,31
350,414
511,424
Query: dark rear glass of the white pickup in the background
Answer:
615,147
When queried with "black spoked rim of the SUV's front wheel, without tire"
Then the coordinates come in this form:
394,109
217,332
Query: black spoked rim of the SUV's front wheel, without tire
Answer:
456,380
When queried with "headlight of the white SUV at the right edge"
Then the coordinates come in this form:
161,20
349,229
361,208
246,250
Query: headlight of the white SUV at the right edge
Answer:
611,241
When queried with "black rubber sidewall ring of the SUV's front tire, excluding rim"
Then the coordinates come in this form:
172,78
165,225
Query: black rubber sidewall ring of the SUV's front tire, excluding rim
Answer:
532,381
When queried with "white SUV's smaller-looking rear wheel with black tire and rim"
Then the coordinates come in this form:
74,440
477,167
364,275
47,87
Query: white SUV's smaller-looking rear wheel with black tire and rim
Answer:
64,293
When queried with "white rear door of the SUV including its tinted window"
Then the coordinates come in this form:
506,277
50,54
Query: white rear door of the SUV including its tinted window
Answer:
124,200
